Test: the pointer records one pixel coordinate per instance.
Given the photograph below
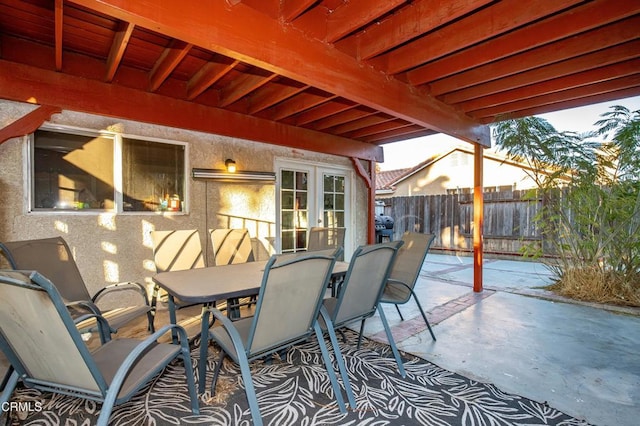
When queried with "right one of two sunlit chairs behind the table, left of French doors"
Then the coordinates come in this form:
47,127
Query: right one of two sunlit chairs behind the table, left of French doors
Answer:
232,246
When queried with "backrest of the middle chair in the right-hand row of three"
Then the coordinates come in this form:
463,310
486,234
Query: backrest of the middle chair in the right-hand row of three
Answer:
364,282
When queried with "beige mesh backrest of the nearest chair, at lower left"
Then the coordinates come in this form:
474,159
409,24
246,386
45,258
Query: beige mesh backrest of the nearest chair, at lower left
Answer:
39,337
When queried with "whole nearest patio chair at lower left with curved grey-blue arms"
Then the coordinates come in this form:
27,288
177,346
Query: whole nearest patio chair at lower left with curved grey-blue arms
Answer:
46,351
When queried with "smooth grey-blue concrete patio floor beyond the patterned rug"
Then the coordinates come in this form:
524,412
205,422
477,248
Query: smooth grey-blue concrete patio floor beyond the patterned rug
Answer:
582,359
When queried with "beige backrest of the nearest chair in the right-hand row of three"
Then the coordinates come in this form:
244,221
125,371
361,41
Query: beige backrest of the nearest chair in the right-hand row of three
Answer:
289,301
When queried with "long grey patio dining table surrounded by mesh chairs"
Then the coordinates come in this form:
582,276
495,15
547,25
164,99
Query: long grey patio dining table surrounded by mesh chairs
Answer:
206,286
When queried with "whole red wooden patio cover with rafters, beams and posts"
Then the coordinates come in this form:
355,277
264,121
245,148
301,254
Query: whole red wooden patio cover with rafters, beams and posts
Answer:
341,77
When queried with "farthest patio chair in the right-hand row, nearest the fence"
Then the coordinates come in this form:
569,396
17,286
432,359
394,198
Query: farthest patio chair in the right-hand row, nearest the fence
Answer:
405,273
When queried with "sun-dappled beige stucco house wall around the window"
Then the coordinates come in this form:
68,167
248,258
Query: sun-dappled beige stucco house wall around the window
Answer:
116,247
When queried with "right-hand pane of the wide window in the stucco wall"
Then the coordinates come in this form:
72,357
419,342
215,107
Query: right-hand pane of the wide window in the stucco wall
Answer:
152,175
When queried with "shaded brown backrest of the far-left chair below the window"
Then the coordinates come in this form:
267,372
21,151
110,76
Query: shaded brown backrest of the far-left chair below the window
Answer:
53,259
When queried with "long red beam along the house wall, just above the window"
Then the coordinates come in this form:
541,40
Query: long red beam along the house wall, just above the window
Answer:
20,82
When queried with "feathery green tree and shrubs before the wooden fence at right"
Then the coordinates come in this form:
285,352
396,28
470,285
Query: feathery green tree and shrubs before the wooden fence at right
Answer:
590,184
